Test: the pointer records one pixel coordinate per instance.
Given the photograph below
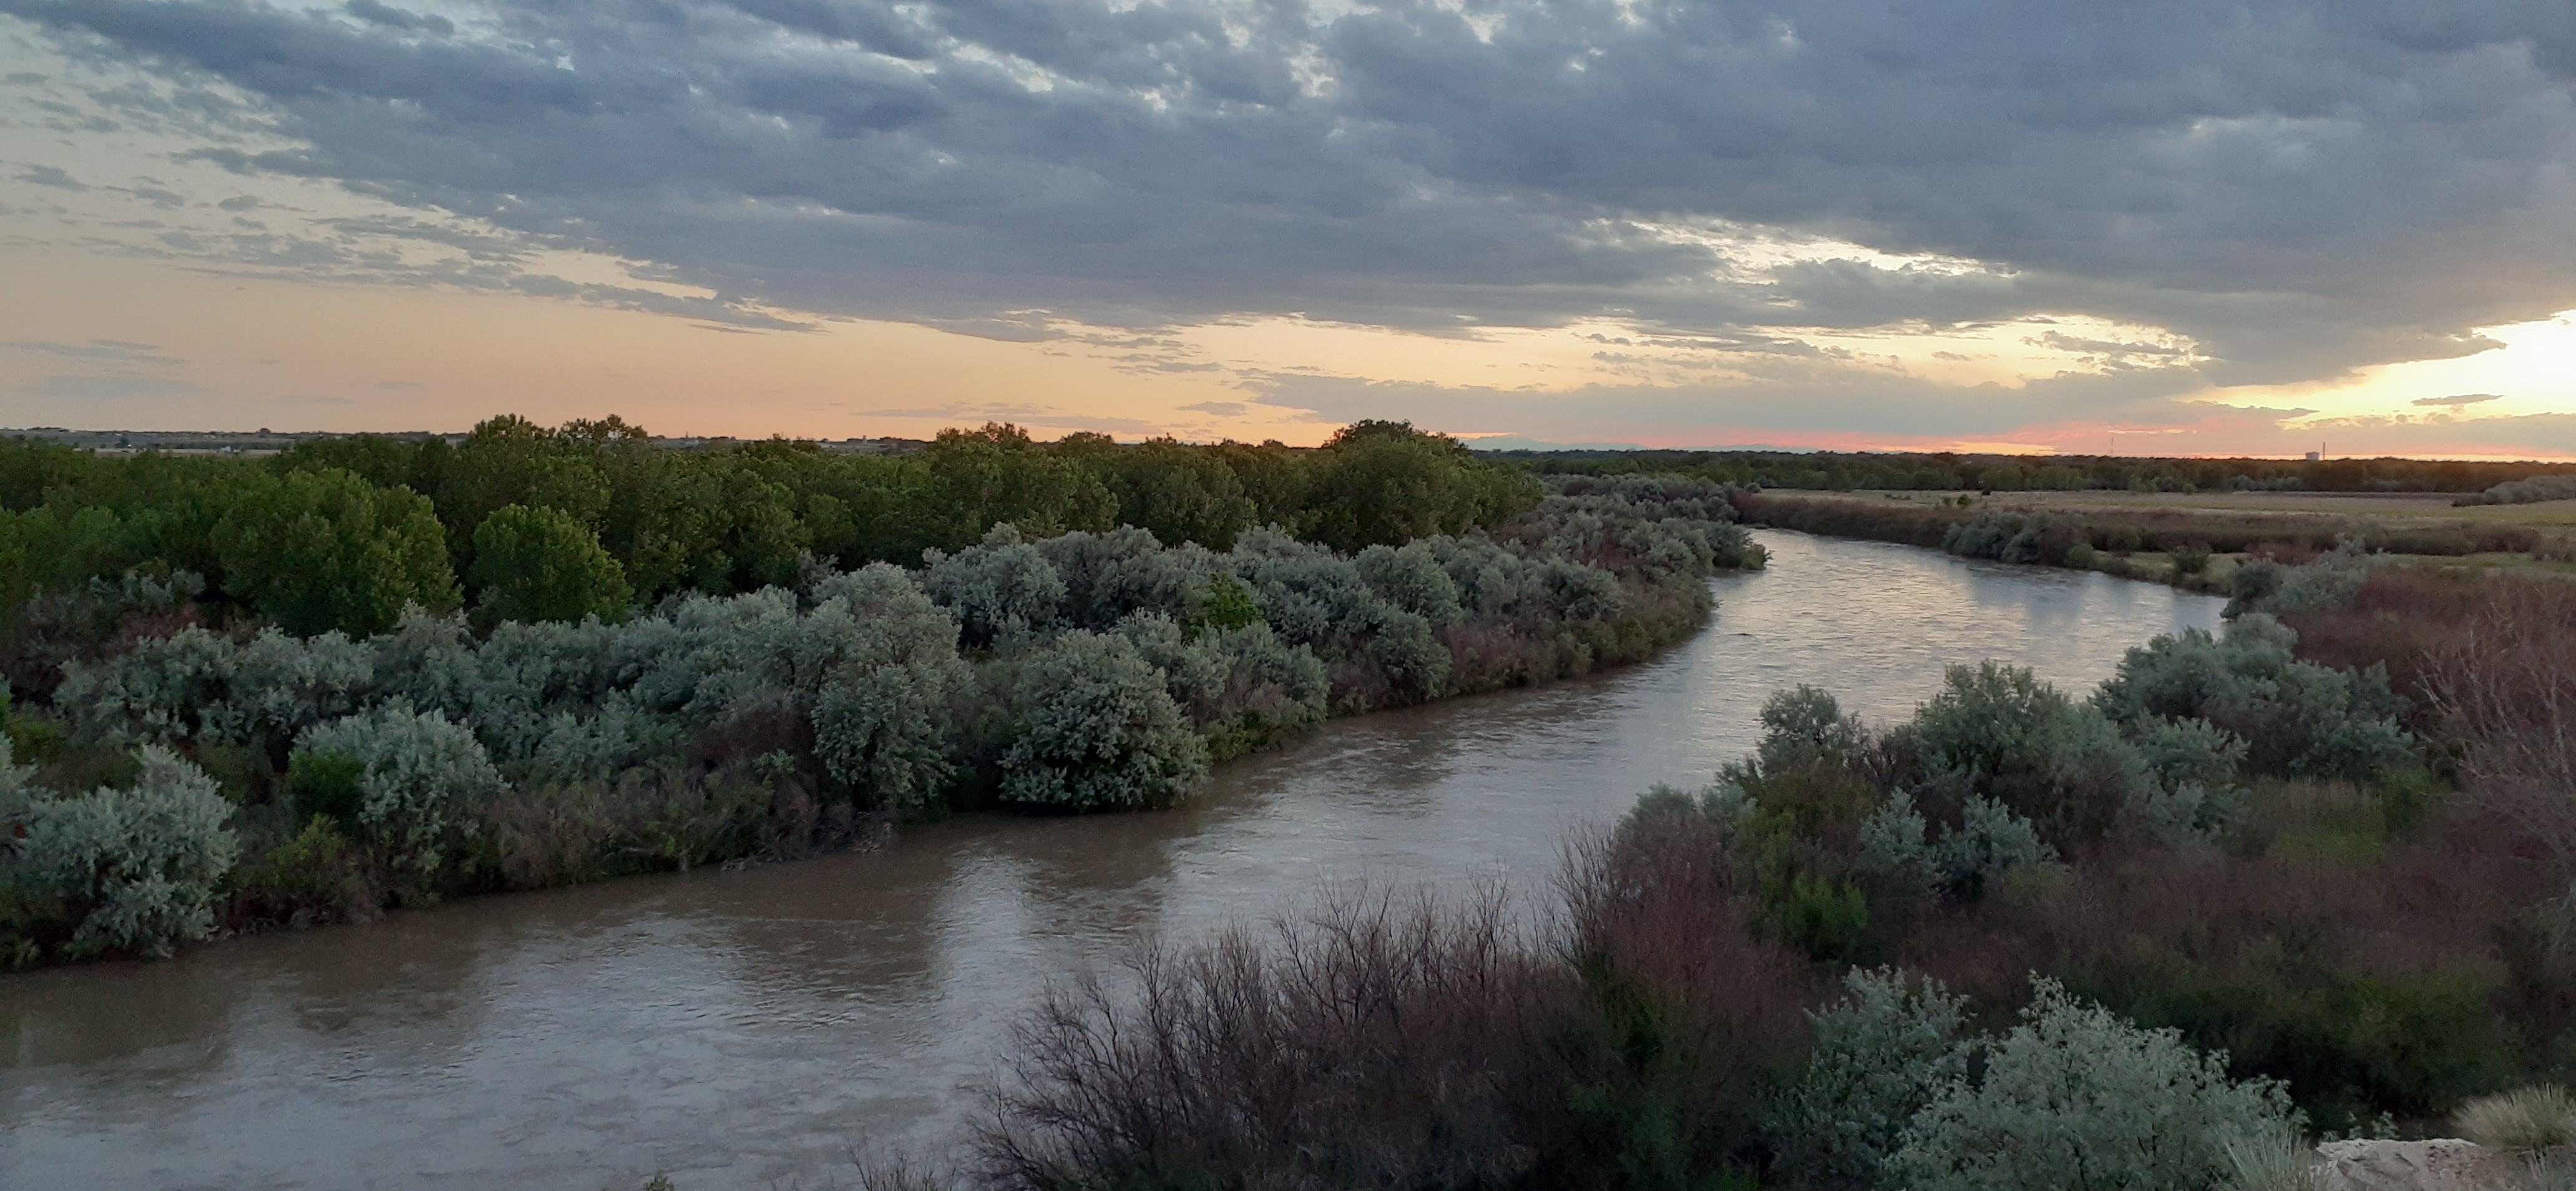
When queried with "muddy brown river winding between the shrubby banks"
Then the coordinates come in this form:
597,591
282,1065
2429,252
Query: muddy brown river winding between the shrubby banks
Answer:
746,1030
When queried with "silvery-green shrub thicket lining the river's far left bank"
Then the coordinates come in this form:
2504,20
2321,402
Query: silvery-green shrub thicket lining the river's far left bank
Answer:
468,751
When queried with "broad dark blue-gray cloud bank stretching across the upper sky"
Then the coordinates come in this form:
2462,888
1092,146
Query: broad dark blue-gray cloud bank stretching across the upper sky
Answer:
2297,184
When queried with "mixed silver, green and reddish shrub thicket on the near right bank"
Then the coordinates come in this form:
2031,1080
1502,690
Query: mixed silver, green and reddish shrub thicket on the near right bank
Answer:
2142,940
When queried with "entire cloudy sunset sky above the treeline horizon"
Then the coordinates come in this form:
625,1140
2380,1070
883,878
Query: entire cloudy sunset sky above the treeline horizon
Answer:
2160,228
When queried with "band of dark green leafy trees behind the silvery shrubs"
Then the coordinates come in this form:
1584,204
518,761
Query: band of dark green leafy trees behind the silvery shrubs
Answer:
519,522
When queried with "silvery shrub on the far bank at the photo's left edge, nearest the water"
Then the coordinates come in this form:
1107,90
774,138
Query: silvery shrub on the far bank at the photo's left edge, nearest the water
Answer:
135,865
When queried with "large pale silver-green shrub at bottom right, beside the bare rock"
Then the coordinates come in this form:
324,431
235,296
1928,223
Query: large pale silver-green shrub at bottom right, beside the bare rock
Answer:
2078,1099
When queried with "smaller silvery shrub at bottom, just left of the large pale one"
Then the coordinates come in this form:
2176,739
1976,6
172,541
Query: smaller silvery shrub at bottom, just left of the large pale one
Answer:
1879,1058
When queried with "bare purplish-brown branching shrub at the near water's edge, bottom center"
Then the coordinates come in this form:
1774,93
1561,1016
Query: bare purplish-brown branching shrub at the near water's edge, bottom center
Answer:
1379,1040
